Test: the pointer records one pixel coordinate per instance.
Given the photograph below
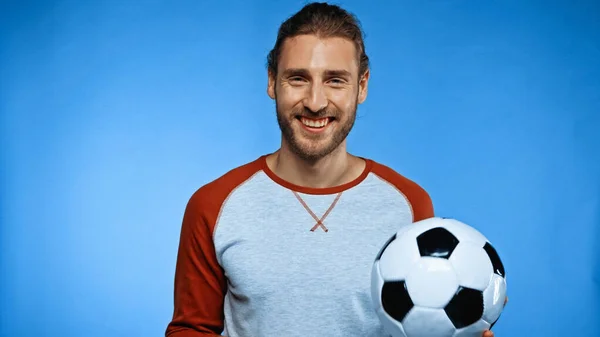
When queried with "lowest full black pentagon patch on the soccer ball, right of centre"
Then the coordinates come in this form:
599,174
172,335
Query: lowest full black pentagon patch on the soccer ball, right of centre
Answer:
465,308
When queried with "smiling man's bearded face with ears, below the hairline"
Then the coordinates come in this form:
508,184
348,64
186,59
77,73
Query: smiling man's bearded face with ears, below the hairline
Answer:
316,91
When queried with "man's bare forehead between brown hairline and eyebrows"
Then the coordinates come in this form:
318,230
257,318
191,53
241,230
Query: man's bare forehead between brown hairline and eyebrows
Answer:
318,54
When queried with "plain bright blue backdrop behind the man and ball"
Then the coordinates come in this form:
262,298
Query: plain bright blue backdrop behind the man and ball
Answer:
114,112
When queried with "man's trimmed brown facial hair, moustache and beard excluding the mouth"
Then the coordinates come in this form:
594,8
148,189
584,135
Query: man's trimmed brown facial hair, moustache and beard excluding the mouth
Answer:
315,152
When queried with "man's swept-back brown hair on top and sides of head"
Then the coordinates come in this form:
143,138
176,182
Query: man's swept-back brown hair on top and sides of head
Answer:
323,20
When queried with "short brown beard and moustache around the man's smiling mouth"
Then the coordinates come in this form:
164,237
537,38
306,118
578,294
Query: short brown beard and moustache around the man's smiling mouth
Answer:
312,150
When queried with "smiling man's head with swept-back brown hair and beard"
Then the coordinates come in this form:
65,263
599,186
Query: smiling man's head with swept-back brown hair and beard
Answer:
318,74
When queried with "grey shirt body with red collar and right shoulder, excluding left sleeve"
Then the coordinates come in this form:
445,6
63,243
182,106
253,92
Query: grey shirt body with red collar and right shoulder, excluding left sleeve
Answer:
284,279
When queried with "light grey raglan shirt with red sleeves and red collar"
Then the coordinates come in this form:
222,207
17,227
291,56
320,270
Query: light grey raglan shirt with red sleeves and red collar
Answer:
261,257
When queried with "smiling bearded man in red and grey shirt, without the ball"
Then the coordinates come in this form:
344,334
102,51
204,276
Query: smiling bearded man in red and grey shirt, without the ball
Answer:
283,246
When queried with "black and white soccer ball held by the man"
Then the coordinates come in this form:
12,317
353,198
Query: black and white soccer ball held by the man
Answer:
438,278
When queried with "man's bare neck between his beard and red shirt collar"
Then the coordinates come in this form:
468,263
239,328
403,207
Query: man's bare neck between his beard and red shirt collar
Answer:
337,168
